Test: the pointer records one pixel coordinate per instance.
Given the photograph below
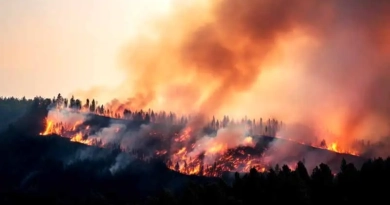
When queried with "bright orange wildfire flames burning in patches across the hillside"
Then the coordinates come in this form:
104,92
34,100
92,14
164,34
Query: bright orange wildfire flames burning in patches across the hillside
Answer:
184,154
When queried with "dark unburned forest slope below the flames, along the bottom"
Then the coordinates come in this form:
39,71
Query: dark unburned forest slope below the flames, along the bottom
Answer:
53,170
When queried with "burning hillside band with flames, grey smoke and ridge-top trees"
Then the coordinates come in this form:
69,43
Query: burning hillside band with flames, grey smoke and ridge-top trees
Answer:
222,145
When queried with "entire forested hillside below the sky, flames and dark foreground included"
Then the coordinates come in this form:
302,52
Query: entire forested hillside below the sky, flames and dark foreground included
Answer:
62,151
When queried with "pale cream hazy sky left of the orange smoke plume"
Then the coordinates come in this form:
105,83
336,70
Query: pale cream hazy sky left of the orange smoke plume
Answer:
52,46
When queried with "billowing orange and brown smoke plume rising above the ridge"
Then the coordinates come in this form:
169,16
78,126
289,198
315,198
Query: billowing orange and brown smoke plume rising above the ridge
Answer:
320,63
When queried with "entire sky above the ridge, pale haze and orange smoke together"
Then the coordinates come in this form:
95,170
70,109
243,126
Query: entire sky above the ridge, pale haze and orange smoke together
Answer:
320,63
